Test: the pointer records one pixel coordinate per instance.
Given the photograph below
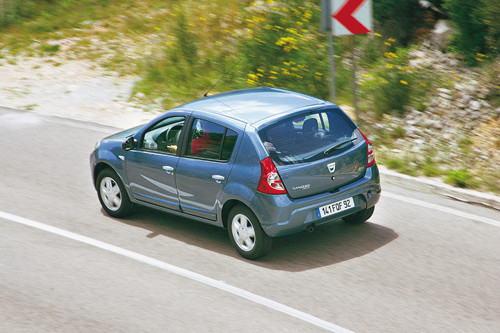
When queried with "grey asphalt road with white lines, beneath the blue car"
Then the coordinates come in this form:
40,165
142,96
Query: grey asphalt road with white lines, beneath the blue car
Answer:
423,263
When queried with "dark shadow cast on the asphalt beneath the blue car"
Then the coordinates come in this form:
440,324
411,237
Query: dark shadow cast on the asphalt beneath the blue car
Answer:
329,244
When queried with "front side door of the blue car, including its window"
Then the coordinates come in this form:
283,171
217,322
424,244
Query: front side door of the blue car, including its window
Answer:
151,167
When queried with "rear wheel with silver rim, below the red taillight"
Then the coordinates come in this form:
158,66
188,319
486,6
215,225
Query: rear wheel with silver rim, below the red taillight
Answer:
246,234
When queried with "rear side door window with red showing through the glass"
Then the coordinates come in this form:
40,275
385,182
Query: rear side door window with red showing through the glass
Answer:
211,141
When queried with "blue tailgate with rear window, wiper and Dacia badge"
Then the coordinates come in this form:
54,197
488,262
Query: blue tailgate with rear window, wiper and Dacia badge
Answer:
316,151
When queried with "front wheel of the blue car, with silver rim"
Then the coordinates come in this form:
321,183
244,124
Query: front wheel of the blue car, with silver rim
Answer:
112,194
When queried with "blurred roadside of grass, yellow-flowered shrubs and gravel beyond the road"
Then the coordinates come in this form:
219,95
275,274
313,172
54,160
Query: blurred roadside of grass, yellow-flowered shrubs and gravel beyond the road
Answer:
428,78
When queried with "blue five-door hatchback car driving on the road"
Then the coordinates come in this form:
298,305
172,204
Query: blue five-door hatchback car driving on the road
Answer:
260,162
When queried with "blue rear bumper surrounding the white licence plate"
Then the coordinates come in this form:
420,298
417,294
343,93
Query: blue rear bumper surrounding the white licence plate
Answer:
281,215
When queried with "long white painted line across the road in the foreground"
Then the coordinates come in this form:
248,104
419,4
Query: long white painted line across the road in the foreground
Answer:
180,271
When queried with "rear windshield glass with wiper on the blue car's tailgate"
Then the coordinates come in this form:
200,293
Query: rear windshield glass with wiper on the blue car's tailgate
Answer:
309,137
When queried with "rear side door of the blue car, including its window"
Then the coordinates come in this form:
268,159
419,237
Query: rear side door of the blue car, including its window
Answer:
204,169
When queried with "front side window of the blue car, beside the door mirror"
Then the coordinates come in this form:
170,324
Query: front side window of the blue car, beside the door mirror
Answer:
164,136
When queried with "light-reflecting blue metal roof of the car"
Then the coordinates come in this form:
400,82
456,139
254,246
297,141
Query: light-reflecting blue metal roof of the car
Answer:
254,105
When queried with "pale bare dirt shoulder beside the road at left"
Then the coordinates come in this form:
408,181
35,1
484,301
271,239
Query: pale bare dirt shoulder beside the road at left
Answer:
74,89
